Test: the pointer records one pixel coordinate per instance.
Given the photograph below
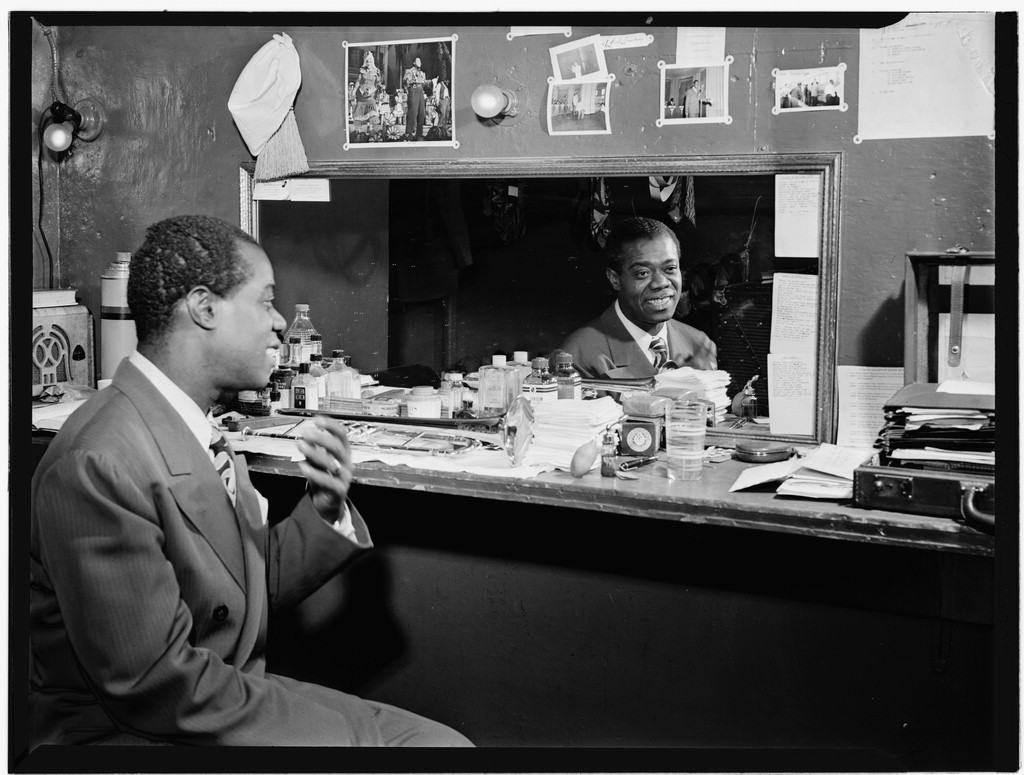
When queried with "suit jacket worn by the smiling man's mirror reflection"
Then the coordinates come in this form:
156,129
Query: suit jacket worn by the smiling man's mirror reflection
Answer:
604,349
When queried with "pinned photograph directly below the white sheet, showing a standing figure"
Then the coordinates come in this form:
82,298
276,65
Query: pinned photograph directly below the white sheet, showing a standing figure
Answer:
695,94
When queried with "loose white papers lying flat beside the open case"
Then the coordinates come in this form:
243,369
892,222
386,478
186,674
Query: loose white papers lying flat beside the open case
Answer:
826,473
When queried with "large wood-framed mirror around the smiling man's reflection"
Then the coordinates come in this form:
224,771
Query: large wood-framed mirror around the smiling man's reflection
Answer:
444,264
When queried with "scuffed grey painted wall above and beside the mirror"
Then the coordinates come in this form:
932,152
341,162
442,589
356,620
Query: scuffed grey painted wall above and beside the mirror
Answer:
170,145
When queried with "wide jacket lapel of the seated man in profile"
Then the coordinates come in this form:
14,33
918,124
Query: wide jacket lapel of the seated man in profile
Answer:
193,480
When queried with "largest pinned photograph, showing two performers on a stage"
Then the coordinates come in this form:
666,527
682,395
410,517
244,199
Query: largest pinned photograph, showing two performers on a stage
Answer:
400,93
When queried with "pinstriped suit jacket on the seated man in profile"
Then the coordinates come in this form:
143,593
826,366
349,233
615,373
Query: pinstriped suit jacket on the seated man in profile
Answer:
150,593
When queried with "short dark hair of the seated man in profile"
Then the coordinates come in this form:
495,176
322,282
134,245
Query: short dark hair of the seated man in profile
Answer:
178,255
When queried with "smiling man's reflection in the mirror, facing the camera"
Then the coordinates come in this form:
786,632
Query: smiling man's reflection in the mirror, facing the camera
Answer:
637,336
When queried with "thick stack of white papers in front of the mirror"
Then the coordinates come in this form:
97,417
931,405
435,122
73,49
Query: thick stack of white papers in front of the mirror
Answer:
563,427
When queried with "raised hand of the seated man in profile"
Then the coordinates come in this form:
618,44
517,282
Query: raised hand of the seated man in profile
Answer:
328,466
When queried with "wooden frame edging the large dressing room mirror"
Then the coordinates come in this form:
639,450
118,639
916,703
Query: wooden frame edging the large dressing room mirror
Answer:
828,165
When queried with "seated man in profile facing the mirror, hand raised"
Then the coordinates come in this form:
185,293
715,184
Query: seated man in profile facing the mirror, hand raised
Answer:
153,567
